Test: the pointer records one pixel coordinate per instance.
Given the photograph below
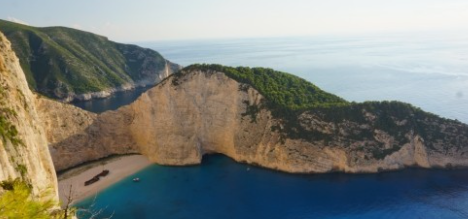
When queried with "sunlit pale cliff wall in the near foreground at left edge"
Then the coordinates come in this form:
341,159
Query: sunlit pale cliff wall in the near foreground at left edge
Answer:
23,145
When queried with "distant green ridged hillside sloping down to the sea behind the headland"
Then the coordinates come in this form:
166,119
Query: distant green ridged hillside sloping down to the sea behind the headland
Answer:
67,64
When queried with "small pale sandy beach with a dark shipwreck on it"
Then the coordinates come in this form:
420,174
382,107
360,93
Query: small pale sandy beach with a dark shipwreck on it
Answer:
119,167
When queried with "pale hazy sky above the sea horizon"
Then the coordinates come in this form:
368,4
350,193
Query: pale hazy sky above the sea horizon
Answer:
146,20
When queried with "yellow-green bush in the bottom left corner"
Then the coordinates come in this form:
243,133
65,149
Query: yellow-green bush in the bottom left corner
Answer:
17,202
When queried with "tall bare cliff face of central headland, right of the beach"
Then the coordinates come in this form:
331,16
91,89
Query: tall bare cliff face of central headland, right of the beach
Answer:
207,112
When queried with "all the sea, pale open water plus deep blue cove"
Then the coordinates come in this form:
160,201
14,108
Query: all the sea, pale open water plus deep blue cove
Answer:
428,70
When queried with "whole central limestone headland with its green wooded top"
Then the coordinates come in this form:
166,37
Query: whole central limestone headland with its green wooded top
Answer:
209,109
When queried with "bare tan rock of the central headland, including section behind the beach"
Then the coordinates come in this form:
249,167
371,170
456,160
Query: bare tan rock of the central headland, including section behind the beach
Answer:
199,112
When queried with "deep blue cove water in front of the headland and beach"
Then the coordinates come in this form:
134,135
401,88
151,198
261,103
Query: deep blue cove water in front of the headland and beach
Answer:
221,188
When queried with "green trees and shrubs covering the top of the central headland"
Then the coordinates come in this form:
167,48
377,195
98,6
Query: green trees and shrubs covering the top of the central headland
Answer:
289,97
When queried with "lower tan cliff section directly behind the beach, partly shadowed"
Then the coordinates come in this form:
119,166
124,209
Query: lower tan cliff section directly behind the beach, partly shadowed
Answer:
76,136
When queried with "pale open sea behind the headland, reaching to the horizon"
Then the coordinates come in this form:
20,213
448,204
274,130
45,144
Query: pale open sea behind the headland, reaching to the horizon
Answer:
427,70
